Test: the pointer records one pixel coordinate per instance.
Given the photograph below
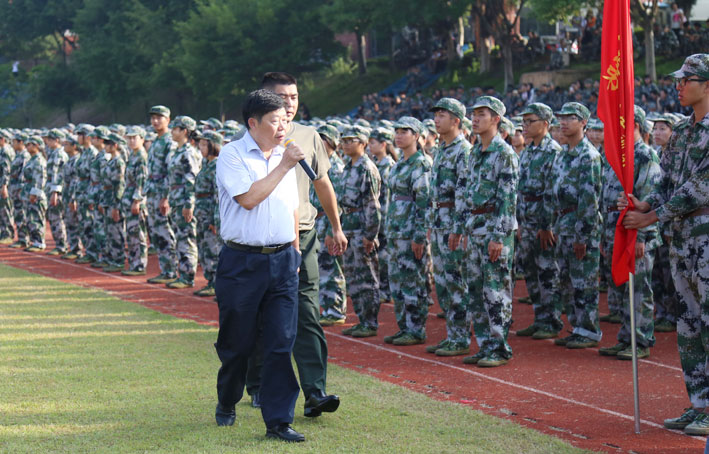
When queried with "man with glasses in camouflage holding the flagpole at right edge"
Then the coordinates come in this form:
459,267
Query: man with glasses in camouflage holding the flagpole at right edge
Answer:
682,198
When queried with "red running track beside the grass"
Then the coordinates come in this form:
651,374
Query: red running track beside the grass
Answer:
575,395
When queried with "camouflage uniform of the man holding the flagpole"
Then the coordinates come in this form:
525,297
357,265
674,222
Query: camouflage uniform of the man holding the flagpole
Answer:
681,198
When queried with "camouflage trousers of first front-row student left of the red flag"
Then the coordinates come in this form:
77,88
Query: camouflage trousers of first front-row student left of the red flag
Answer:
578,285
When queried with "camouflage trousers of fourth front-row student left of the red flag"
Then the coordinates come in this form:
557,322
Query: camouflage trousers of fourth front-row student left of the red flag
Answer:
451,287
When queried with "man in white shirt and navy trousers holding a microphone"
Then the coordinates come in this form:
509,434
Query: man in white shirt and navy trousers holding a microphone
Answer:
257,274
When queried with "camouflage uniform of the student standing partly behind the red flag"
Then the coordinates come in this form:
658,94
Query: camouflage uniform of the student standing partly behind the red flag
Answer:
647,174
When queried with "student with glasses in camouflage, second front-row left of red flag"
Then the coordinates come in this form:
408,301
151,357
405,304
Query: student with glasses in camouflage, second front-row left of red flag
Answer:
536,240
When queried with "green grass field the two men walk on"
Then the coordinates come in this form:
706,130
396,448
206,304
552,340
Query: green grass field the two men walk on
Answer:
84,372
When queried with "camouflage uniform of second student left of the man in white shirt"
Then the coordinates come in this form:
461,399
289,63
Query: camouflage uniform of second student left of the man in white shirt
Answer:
182,169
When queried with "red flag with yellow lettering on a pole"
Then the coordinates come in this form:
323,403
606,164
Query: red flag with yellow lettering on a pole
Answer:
616,103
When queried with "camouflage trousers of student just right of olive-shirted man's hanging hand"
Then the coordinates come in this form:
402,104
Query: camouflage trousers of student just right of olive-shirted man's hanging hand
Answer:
362,275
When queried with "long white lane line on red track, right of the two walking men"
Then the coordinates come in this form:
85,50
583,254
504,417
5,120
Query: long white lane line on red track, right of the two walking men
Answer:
501,381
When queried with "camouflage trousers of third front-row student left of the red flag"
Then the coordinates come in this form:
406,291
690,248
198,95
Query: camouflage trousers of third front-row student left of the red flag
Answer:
490,291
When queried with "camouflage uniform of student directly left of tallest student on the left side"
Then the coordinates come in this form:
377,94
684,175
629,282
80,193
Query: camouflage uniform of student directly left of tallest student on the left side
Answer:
136,174
